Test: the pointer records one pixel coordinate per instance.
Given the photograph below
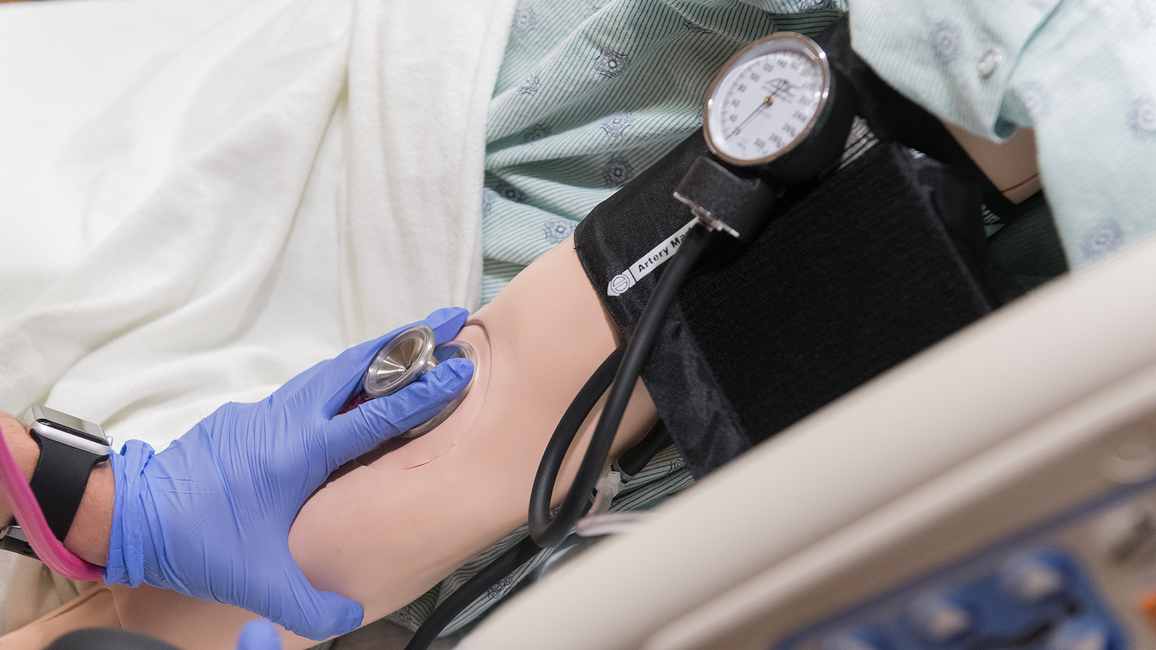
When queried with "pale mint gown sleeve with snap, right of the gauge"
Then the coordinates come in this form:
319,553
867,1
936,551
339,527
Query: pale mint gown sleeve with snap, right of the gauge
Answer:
1080,72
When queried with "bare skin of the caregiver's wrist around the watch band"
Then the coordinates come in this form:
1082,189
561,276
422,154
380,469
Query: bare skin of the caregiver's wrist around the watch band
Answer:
88,537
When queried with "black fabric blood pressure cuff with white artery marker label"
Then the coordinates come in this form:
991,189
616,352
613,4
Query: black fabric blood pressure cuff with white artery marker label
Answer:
856,275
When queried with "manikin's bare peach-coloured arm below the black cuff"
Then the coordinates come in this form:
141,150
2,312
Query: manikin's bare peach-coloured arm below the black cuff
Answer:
390,526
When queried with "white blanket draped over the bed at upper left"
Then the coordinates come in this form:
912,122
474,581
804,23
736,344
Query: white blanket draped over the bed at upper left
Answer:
202,198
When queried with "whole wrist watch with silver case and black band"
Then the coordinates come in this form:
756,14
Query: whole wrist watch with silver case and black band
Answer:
70,448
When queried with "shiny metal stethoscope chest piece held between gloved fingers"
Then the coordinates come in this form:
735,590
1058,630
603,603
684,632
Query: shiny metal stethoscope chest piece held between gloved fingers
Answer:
402,361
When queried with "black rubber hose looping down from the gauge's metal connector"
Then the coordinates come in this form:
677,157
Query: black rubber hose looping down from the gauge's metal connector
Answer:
549,533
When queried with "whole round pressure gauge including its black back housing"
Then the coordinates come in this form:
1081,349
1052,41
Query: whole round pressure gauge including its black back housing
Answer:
774,104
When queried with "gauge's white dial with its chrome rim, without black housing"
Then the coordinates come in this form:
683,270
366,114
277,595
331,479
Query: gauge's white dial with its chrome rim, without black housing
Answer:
767,100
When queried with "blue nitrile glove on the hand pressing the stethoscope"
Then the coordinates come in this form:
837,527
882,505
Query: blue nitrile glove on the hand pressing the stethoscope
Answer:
210,516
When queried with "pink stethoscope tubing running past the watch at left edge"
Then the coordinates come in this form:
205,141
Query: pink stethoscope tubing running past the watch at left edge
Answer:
35,527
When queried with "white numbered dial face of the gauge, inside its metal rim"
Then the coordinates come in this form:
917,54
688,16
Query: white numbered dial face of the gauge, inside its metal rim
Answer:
766,104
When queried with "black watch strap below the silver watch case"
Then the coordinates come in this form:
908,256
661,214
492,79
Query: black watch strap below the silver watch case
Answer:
60,482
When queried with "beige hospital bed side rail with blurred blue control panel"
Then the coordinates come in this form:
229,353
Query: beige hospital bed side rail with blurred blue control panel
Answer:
998,491
